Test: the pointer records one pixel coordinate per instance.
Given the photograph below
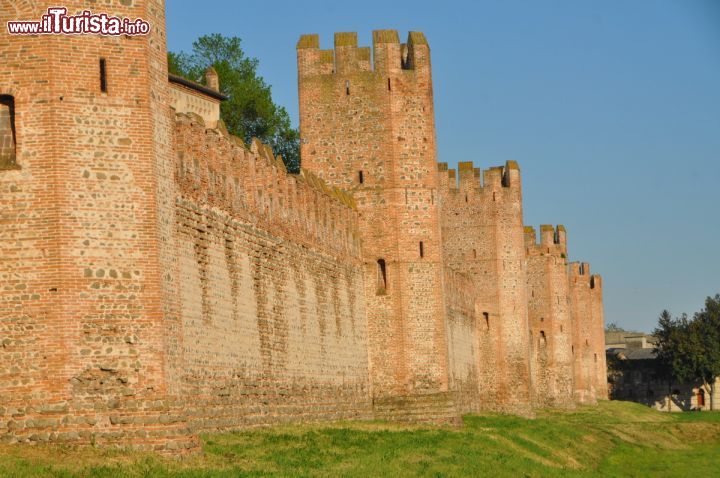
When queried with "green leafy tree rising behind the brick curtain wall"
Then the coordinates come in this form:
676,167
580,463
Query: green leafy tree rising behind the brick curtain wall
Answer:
250,111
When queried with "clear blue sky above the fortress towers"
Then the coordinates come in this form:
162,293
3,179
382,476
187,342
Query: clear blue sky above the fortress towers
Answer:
611,108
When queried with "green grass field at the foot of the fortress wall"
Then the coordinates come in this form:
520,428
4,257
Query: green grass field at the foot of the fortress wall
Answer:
612,439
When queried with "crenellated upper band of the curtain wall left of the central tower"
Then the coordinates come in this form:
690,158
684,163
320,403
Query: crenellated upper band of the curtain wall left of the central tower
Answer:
250,183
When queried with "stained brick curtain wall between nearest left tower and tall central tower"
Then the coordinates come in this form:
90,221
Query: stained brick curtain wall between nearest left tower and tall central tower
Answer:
273,315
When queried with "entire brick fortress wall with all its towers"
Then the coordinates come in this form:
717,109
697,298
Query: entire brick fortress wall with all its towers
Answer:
159,278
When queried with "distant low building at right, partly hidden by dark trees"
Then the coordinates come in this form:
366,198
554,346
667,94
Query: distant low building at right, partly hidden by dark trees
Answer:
635,375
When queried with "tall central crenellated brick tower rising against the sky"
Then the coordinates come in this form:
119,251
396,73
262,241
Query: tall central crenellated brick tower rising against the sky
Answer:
367,125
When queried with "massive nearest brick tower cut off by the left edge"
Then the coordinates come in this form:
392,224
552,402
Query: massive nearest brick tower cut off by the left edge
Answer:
87,306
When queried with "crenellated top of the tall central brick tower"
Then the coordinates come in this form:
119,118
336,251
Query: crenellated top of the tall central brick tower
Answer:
388,55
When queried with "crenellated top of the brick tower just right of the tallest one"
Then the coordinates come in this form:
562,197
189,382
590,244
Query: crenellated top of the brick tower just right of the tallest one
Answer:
469,179
